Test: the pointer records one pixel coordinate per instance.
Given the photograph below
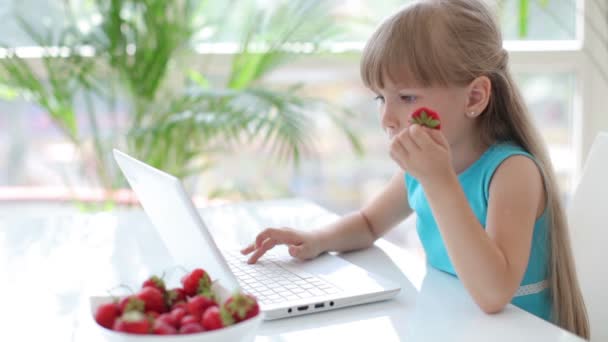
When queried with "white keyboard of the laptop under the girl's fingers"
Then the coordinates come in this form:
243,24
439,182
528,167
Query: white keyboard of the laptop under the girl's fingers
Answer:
271,283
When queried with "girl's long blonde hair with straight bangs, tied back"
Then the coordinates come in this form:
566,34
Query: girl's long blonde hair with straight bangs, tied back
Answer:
452,42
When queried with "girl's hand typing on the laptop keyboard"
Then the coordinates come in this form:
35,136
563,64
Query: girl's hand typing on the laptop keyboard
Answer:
302,245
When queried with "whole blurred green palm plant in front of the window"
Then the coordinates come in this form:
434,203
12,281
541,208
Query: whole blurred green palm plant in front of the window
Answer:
137,67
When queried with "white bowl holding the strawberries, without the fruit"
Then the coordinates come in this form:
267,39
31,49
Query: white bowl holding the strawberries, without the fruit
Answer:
241,332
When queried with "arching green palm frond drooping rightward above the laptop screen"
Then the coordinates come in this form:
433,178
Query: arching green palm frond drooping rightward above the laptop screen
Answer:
274,120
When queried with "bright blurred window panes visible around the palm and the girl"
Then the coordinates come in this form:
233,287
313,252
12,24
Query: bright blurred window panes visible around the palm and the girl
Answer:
550,66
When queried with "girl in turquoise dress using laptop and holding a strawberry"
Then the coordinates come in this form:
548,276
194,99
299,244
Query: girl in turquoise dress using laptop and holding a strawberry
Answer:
482,186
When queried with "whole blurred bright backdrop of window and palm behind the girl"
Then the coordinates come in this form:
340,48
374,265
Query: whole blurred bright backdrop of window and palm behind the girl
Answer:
249,99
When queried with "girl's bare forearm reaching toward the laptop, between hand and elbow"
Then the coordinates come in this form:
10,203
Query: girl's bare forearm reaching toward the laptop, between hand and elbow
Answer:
360,229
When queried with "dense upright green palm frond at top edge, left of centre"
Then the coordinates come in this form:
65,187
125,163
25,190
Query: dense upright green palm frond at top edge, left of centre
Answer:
139,40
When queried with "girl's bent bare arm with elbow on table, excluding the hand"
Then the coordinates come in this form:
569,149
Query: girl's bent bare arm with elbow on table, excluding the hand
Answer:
490,263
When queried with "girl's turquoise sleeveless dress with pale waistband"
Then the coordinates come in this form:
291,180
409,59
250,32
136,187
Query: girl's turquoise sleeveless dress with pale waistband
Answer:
533,294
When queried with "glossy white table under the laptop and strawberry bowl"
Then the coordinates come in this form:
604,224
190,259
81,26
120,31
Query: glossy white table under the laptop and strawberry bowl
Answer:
58,260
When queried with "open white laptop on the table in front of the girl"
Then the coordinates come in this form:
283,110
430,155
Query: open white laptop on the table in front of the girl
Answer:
284,286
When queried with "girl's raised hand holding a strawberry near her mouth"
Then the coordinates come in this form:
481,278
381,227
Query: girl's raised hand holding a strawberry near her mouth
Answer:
422,152
